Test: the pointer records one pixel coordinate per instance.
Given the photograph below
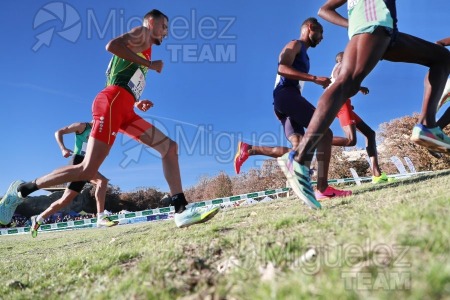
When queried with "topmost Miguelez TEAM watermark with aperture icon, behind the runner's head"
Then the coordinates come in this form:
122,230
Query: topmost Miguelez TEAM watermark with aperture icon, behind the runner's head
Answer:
192,38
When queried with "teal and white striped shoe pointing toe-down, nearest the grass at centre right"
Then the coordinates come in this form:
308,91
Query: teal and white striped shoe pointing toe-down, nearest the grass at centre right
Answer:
299,180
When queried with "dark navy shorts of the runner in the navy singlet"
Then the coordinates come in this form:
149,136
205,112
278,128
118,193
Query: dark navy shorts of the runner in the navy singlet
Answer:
293,111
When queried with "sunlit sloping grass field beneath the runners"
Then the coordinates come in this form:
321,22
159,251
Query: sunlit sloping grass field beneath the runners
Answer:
389,241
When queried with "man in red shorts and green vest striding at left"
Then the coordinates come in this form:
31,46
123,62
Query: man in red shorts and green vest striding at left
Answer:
113,112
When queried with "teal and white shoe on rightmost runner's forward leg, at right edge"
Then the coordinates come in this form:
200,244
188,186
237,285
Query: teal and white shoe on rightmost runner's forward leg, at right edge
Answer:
431,138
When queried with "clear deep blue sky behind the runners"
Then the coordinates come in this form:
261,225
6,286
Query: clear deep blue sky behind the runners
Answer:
216,86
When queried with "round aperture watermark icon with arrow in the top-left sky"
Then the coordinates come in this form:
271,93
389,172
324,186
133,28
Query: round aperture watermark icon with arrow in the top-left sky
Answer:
63,13
